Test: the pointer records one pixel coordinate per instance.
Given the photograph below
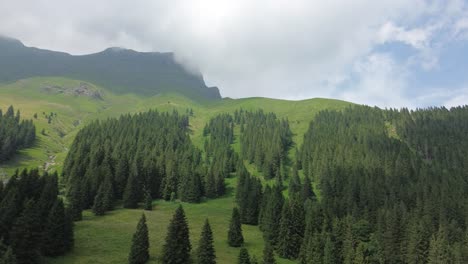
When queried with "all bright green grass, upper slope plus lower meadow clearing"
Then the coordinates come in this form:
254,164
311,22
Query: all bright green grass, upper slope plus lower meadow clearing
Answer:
107,239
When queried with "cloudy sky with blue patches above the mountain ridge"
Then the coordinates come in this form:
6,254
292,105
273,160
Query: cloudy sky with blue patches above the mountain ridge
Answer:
395,53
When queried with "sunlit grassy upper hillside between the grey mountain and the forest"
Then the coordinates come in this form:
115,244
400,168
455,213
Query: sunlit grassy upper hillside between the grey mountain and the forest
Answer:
76,103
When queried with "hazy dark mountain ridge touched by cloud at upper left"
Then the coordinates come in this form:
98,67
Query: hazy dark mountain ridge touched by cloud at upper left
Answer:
120,70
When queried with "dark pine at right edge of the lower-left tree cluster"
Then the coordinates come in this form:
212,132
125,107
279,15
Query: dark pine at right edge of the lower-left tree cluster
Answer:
54,235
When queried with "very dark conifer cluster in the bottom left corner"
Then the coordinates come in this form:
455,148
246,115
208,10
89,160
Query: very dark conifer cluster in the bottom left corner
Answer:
33,219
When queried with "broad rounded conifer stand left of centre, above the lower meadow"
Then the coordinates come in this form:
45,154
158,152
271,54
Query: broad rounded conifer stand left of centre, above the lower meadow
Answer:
134,158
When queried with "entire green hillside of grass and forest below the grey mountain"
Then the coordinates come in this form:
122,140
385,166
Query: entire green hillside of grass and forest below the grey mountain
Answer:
357,185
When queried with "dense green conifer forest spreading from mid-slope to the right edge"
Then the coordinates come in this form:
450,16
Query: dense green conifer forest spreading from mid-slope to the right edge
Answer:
367,185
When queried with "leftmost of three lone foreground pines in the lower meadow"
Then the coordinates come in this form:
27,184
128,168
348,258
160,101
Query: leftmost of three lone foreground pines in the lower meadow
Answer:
139,252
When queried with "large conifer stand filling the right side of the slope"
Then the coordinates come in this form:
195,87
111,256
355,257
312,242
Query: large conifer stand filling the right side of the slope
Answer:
394,186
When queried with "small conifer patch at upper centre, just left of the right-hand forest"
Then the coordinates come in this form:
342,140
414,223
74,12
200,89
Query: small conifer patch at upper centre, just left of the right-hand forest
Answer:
265,141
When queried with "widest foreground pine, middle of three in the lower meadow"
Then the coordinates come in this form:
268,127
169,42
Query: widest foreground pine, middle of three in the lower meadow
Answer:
177,248
